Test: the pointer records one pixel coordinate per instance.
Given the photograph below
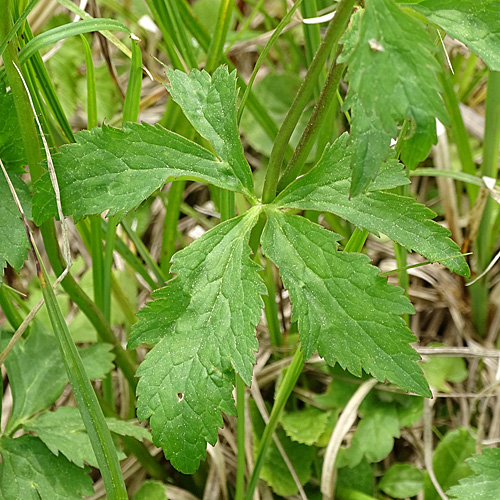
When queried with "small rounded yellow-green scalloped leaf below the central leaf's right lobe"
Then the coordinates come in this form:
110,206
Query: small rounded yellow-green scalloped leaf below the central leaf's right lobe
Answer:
305,426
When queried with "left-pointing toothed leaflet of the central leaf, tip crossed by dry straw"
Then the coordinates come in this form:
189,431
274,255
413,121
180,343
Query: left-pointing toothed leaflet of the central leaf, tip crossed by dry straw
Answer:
116,169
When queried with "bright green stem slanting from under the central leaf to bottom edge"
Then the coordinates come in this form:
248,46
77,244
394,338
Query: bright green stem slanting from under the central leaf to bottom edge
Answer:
292,375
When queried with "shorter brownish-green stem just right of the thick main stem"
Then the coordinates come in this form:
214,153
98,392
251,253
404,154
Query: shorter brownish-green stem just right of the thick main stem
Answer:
321,110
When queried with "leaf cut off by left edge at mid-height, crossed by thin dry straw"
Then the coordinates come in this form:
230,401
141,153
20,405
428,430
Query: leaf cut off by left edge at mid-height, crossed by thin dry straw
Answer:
13,239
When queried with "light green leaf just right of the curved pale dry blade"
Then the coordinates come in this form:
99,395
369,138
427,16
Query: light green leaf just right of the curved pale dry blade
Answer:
374,436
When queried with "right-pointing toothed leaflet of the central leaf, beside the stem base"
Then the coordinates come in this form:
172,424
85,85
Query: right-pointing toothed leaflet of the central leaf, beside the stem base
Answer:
326,188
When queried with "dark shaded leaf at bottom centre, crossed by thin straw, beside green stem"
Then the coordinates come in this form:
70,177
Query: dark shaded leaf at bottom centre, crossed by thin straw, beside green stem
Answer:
275,470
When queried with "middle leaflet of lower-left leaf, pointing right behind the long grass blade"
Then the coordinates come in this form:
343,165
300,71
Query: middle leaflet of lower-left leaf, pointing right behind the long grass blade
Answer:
63,431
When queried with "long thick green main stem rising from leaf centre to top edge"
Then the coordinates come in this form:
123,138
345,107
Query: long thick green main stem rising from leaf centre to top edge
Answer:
332,37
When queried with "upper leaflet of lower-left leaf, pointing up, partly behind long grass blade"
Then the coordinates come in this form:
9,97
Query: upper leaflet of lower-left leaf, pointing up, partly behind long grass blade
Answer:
37,375
